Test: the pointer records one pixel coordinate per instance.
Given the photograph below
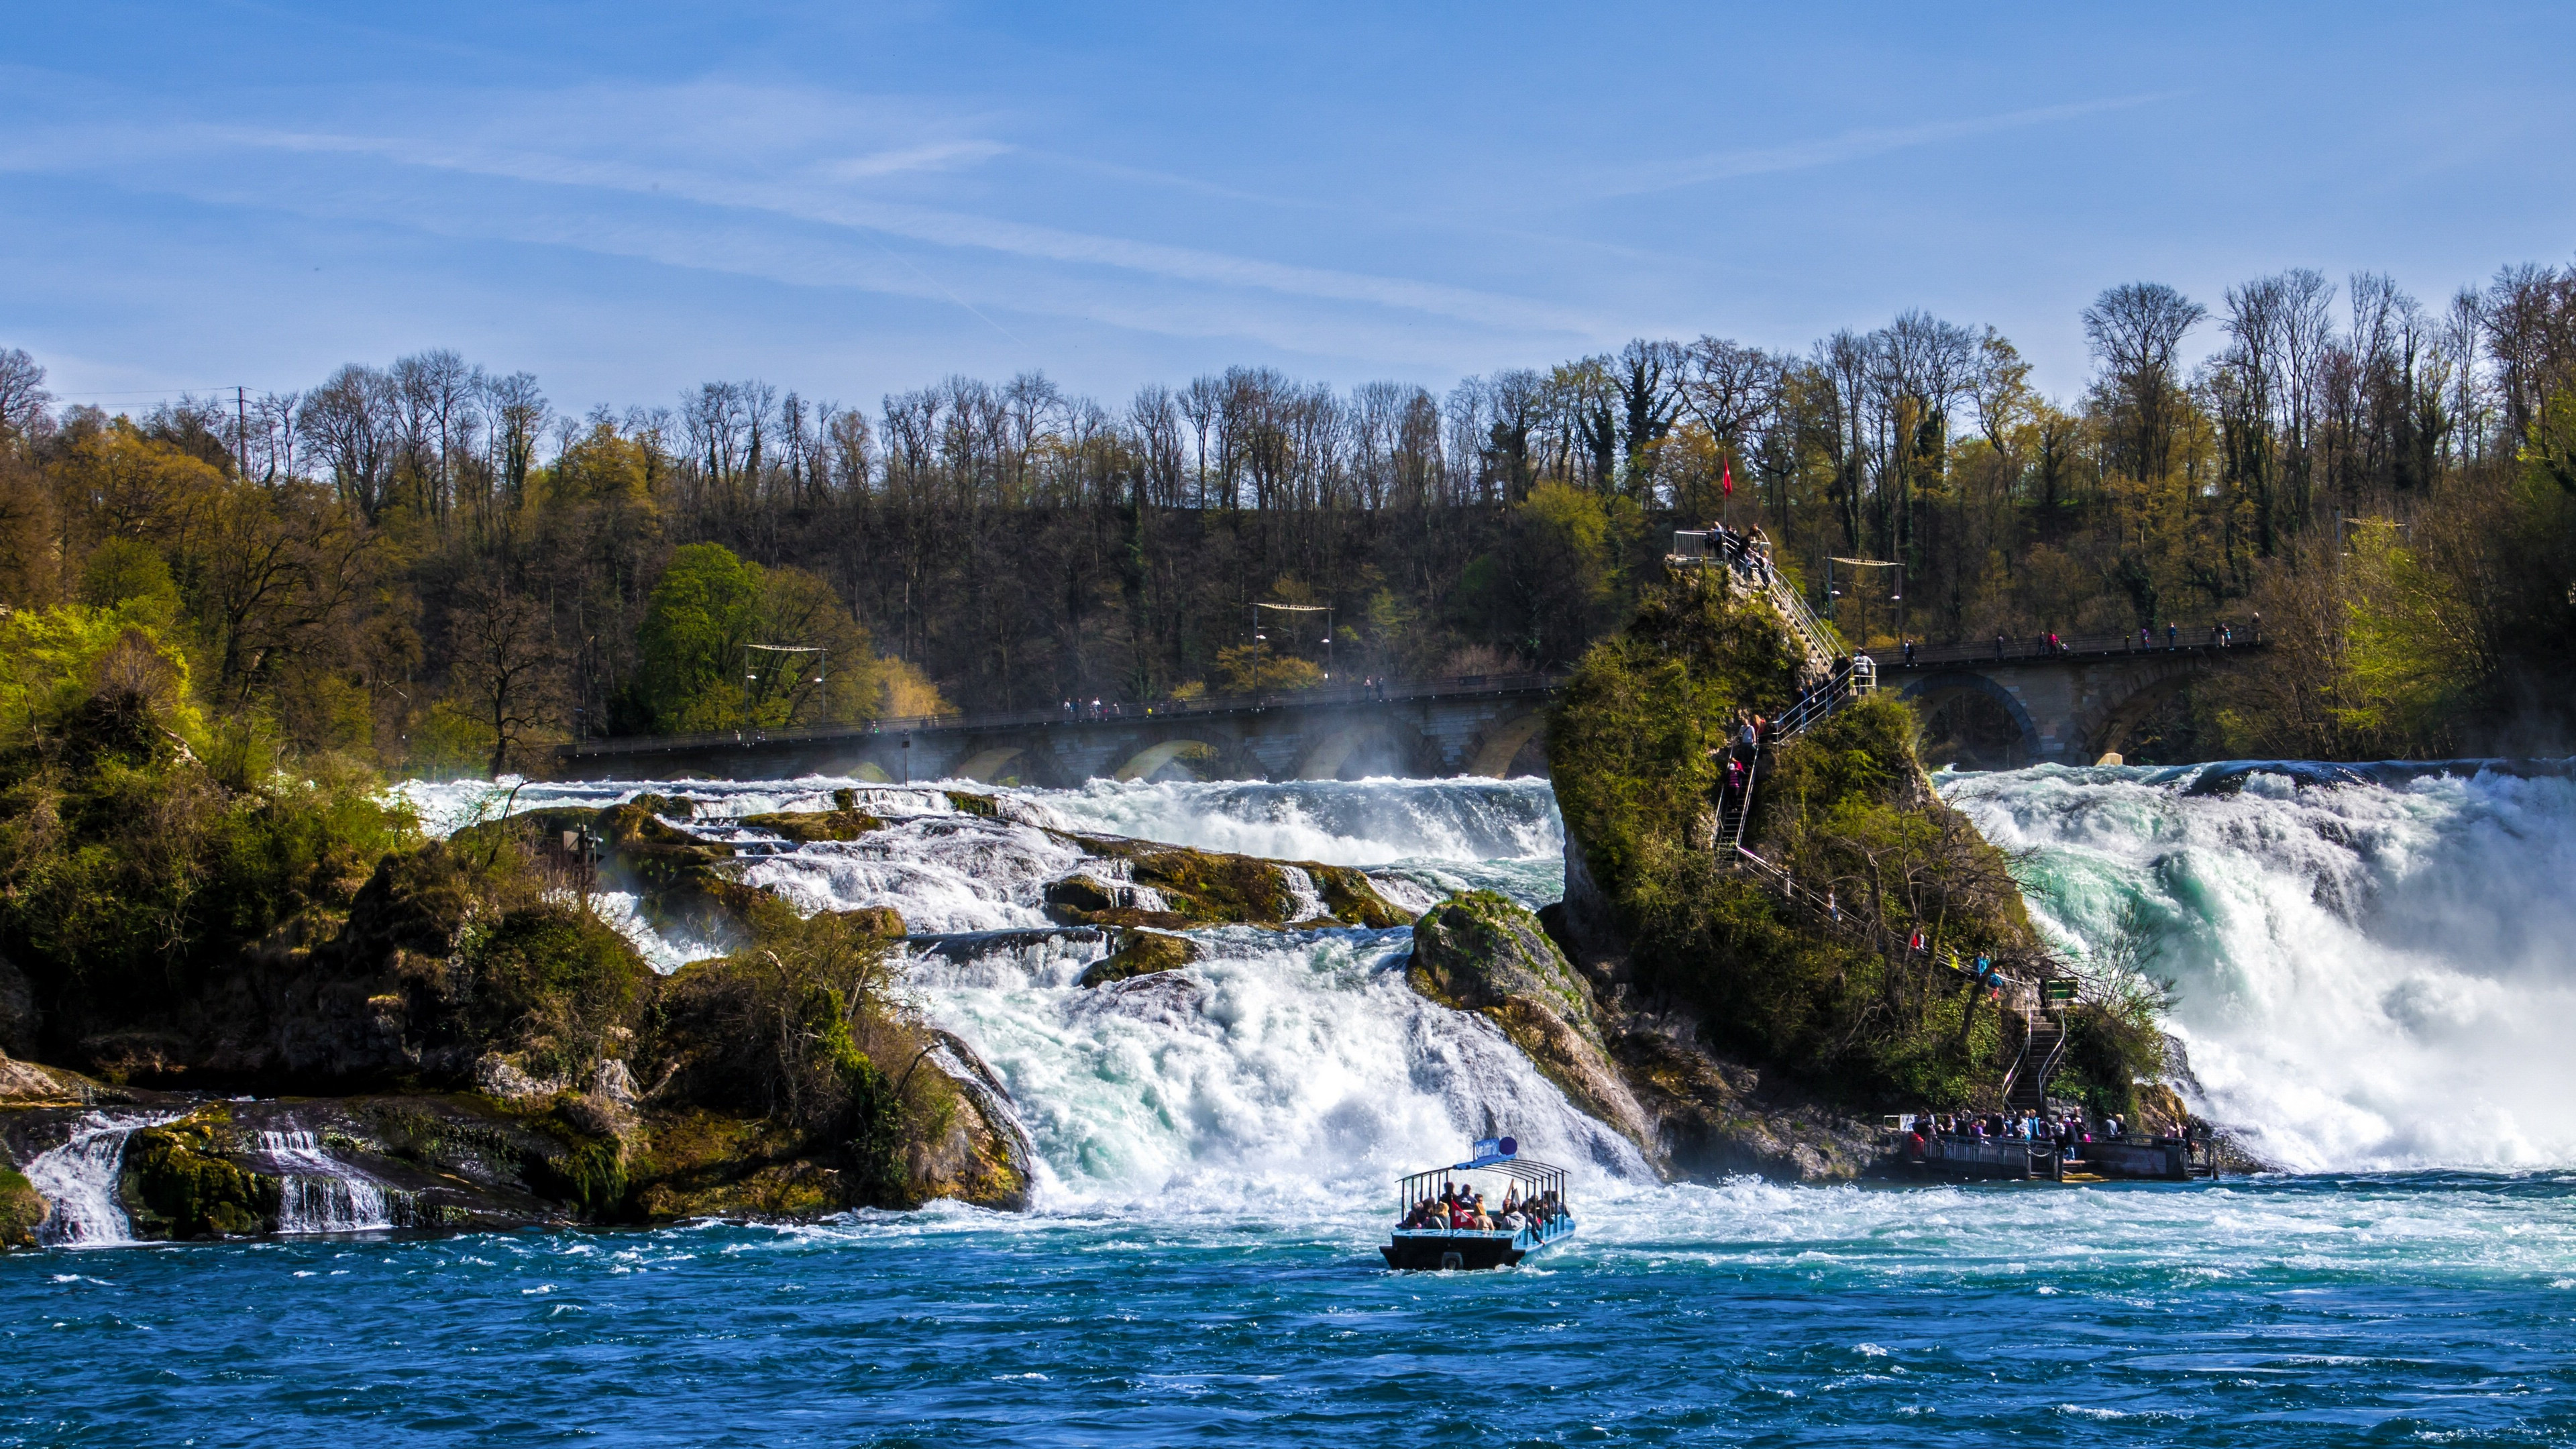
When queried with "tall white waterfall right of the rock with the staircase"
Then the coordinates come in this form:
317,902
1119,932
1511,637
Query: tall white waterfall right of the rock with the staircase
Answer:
2376,973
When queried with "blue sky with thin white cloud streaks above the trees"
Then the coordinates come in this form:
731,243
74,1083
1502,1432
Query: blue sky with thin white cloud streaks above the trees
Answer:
854,200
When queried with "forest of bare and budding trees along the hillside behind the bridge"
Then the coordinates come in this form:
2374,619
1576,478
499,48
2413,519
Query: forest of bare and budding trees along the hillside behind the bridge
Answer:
429,569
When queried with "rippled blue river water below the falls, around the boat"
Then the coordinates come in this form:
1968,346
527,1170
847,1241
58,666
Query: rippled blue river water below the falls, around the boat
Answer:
2315,1311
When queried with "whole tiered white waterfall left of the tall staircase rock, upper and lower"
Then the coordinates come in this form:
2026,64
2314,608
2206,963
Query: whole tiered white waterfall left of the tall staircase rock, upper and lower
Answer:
1289,1071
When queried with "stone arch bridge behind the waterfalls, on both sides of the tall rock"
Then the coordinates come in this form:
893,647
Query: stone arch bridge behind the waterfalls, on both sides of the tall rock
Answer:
2034,708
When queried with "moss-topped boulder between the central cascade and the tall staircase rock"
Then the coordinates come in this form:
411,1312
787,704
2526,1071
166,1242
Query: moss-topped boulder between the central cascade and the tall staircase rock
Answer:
1485,953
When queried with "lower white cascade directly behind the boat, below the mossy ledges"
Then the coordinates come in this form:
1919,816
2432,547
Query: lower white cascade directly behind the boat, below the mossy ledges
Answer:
1289,1071
